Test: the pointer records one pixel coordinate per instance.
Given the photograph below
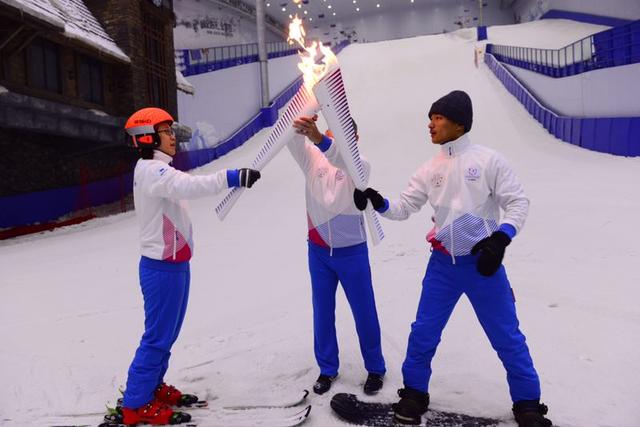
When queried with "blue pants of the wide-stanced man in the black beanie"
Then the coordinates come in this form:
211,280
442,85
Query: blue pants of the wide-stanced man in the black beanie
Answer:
494,304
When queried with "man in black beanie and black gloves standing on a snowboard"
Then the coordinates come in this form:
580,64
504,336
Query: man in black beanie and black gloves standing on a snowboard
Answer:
467,185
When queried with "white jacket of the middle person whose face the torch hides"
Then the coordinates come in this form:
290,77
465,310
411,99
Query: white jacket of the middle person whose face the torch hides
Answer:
332,217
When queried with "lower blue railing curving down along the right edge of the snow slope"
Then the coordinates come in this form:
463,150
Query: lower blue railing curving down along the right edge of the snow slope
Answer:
614,135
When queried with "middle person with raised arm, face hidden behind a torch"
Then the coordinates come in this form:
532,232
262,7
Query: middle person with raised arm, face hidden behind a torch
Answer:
337,252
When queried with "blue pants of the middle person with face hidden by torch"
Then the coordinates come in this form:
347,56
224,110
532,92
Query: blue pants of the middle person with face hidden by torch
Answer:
350,267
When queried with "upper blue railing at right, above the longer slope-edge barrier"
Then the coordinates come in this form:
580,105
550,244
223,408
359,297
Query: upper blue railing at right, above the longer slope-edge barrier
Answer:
610,48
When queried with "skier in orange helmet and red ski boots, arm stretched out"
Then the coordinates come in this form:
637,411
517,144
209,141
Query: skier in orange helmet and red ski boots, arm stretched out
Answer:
166,248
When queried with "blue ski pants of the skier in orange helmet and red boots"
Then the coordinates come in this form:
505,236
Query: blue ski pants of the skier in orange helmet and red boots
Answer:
165,288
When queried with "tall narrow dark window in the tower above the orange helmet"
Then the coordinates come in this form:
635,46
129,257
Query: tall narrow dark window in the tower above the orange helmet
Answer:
155,60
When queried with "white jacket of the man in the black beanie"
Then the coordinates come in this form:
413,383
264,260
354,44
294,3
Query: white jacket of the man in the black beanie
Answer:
466,184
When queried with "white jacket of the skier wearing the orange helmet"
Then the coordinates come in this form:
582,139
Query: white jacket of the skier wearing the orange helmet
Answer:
158,193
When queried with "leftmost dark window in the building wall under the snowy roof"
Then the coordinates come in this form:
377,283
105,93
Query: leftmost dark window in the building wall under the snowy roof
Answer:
43,66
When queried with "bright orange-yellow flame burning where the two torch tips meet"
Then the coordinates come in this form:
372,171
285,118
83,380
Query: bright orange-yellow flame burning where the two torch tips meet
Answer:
312,71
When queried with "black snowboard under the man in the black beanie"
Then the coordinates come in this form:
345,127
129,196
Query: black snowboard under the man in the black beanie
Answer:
372,414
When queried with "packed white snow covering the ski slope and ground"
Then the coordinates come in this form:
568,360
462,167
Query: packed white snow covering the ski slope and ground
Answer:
71,309
